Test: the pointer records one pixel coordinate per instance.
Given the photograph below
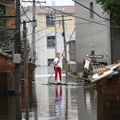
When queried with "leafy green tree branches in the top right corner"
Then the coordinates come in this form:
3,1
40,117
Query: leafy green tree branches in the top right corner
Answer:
112,7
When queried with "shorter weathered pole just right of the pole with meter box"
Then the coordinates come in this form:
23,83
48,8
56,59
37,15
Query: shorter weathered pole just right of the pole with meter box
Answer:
25,51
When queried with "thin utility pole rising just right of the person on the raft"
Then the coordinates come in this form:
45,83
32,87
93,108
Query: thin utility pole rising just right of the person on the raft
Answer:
64,45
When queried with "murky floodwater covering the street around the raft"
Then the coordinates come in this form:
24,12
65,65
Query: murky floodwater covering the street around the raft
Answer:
43,102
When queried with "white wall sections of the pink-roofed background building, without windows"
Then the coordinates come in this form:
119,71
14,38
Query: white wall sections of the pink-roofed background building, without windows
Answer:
43,53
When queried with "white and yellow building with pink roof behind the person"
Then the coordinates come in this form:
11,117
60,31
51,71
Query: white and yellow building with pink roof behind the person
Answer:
45,31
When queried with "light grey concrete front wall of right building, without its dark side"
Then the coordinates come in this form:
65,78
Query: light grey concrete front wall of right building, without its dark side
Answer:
90,36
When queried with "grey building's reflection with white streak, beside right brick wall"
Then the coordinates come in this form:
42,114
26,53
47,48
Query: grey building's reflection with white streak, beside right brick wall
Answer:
87,105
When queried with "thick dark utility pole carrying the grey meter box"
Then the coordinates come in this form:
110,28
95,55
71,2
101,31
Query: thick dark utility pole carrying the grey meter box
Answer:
17,50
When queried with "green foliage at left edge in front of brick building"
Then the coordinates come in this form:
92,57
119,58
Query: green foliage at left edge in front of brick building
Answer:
4,33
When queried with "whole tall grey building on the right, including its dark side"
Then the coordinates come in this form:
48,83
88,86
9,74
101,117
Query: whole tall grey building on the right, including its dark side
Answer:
100,38
